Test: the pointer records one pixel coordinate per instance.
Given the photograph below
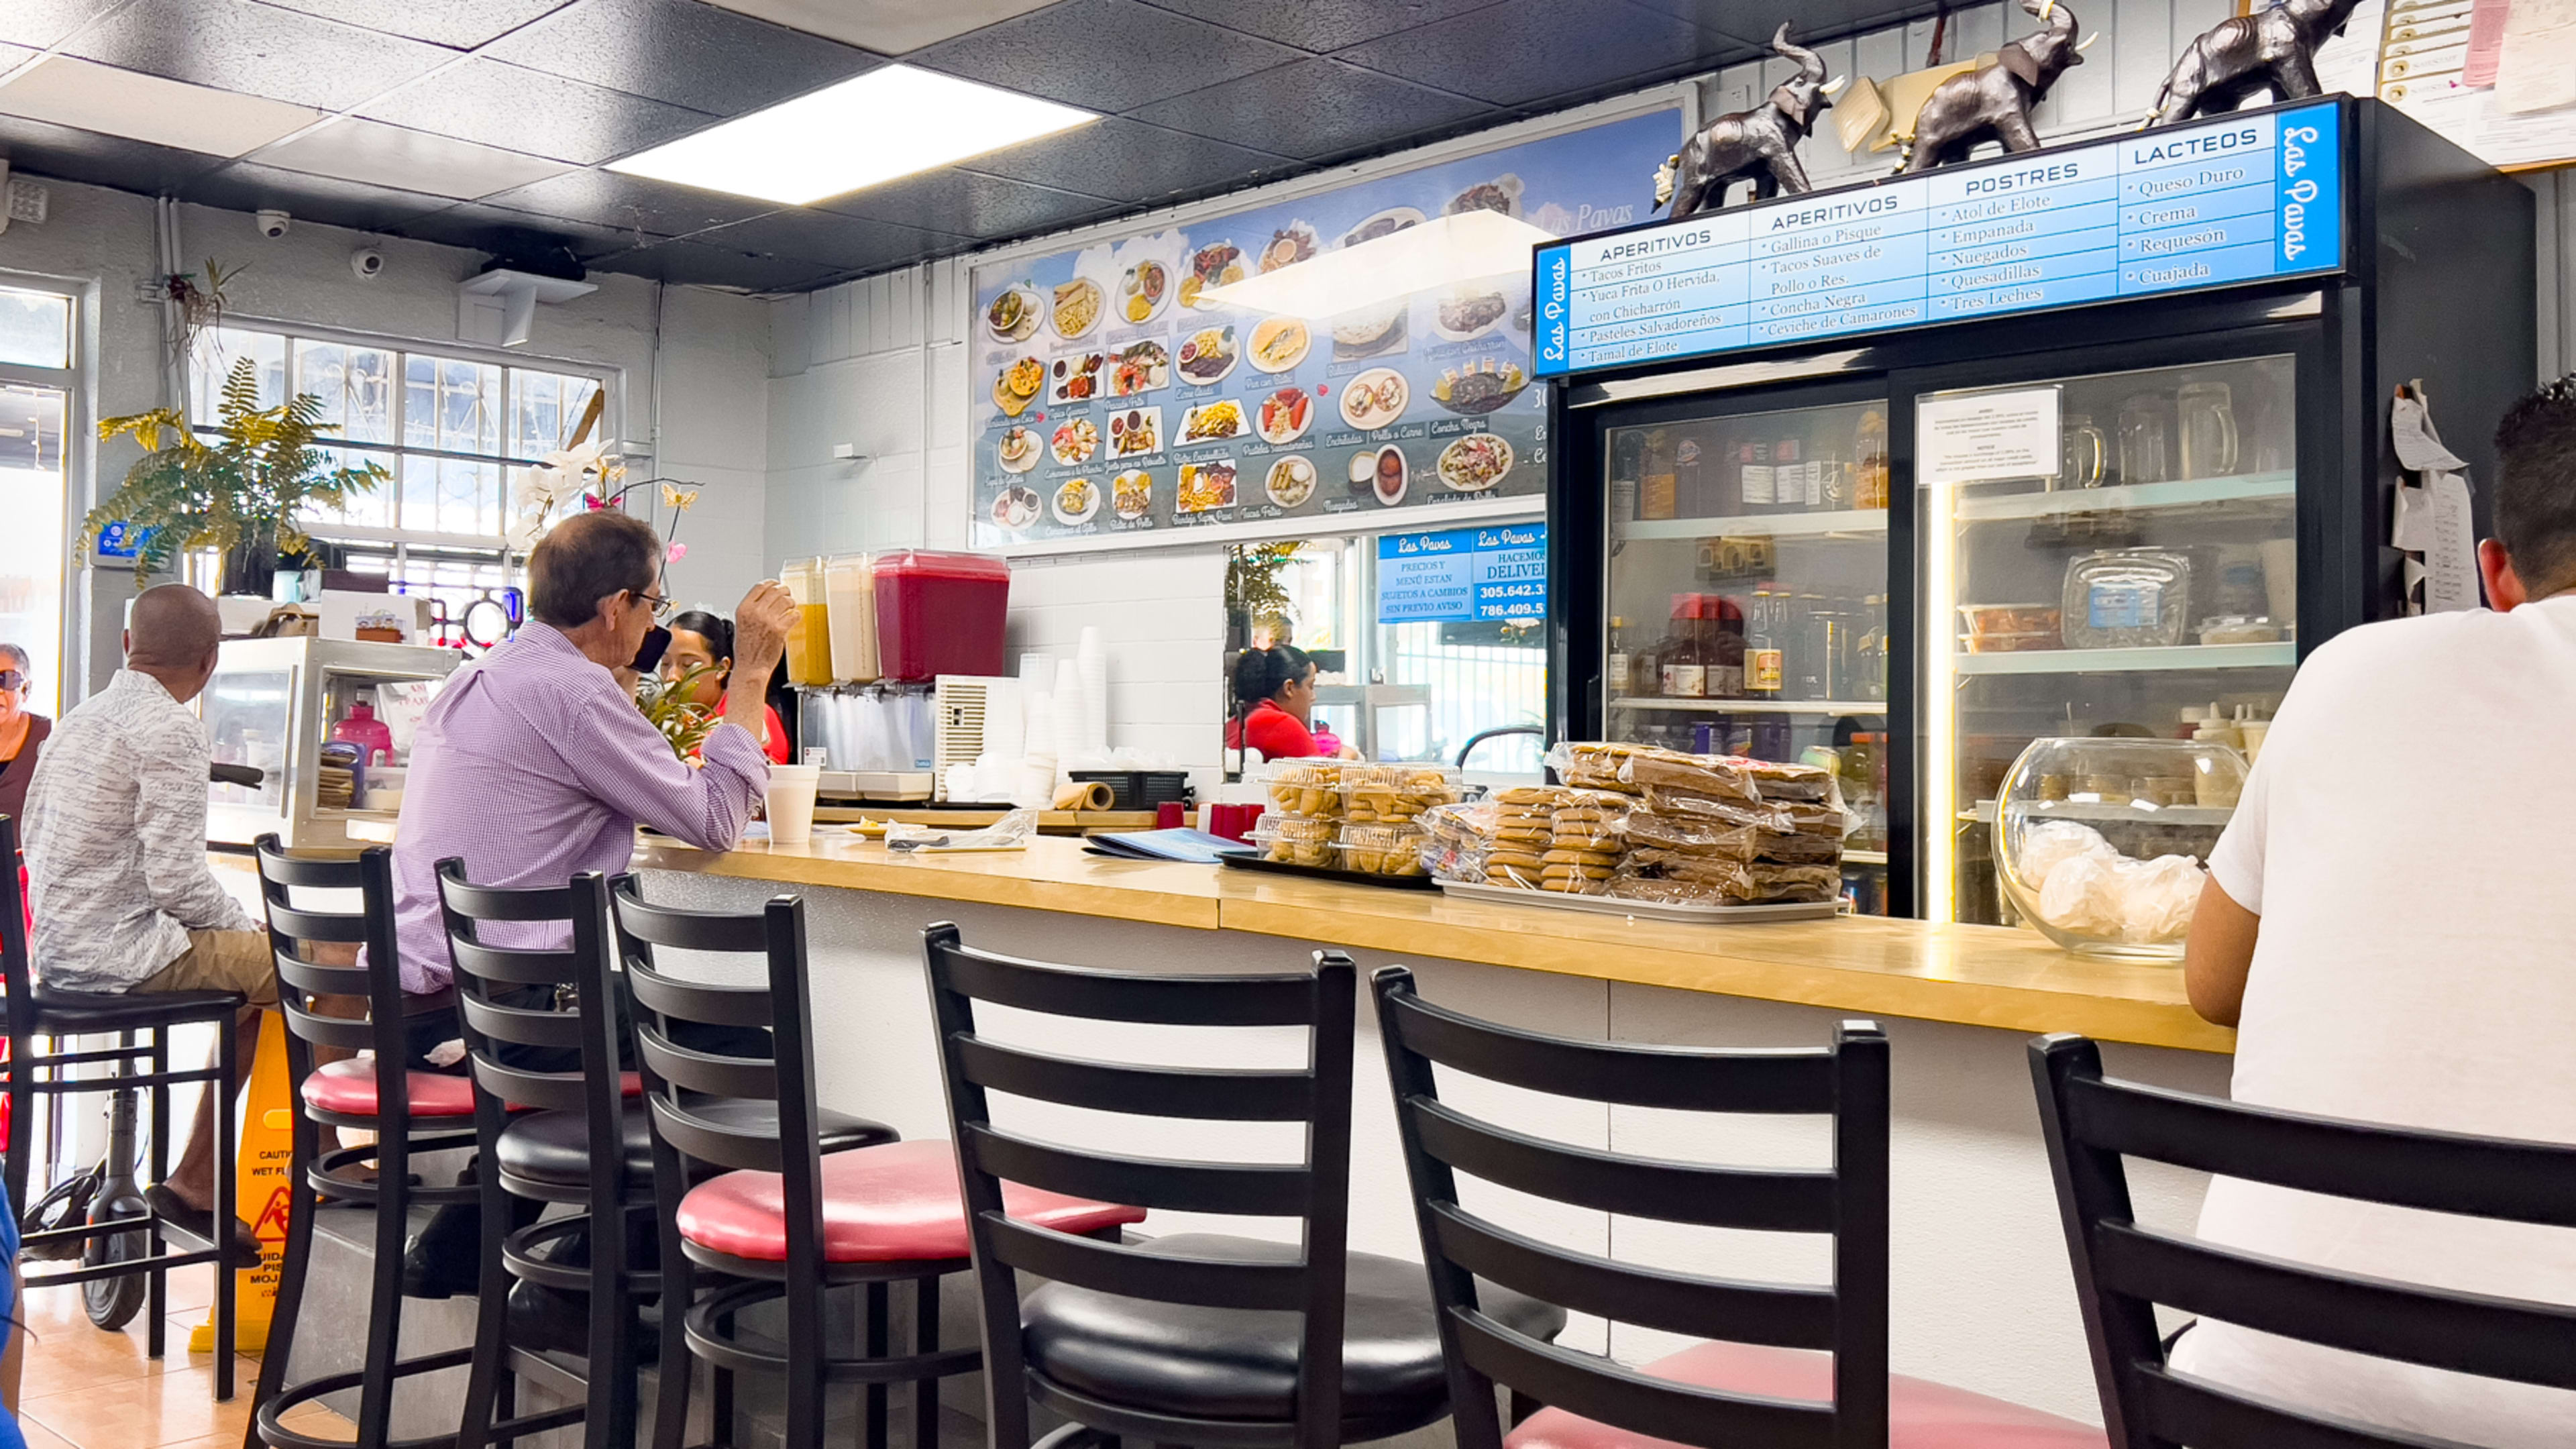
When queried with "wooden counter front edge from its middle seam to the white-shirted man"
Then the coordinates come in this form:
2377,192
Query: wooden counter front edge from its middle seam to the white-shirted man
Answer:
1717,973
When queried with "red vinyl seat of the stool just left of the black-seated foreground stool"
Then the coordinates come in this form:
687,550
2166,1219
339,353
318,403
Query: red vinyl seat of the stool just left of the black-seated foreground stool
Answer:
880,1205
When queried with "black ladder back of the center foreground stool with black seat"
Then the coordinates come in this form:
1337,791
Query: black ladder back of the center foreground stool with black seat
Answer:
1315,1192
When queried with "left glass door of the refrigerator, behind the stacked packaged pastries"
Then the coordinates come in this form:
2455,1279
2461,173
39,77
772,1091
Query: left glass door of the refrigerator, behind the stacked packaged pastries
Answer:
1748,597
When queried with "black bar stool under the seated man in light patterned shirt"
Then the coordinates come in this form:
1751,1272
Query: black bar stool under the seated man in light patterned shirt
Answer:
32,1079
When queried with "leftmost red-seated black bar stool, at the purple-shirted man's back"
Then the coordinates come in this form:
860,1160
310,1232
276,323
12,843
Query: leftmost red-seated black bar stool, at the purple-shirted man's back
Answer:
408,1113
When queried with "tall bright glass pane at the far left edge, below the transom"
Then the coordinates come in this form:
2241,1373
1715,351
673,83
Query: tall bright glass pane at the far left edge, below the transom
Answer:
32,548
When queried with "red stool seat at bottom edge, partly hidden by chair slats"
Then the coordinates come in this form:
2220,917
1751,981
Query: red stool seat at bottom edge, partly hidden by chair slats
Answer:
1920,1412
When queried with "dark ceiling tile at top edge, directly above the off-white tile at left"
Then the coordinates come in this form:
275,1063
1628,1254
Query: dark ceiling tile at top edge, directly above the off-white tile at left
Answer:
256,50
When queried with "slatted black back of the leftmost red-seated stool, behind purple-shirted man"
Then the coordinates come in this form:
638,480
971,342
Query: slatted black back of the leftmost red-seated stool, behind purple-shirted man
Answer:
292,937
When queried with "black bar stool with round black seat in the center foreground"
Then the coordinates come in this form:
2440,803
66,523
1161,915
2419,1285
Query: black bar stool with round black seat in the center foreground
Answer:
1199,1337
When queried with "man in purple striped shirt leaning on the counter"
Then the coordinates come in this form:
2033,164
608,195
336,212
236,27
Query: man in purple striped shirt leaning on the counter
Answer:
535,762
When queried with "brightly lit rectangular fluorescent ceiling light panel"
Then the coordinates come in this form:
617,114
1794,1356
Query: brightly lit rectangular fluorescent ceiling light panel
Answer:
867,130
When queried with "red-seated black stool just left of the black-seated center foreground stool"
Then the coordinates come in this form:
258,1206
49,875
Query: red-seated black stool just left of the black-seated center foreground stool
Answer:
815,1200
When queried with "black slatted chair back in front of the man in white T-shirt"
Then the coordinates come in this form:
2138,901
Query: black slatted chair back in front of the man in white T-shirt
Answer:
2124,1270
